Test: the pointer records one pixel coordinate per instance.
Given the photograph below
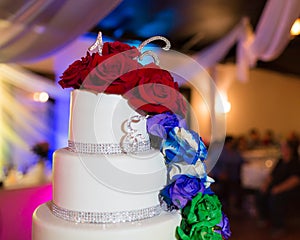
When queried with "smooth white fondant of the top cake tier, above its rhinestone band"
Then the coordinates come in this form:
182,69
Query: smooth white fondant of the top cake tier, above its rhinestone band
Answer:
100,118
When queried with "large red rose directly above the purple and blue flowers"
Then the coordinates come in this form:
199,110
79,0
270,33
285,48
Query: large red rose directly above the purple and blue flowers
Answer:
156,92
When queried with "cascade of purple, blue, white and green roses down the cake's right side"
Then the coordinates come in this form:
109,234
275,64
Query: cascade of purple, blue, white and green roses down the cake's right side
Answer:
188,189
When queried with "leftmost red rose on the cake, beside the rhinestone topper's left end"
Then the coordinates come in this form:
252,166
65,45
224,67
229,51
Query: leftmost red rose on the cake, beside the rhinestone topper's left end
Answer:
77,72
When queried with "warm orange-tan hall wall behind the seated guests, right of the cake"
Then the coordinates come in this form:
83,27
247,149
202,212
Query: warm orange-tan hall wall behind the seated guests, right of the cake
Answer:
269,100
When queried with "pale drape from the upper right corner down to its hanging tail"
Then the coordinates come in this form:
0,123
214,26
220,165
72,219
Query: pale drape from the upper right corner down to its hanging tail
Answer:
270,38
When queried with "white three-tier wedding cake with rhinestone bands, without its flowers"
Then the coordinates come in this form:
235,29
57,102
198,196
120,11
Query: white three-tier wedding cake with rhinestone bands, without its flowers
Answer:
94,182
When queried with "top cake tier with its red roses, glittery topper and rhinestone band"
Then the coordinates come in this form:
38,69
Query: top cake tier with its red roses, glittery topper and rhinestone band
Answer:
114,91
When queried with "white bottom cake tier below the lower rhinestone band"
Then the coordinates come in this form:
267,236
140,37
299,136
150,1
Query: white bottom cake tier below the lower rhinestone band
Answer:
46,226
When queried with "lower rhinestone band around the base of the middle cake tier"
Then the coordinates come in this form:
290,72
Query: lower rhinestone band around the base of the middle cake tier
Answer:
104,217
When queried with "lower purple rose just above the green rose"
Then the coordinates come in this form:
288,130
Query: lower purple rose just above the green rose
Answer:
182,190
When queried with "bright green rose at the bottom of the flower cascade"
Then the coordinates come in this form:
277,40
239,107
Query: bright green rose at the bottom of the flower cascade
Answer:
199,217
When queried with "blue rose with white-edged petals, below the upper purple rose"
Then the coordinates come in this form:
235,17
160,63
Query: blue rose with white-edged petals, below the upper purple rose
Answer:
183,145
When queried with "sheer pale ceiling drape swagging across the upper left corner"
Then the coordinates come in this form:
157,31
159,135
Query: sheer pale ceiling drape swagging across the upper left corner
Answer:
34,28
